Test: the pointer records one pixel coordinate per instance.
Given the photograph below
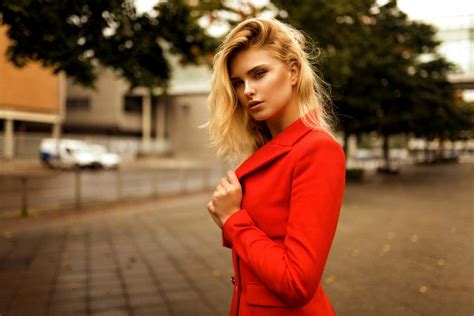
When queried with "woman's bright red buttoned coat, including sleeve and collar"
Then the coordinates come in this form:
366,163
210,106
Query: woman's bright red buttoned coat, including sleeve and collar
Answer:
292,193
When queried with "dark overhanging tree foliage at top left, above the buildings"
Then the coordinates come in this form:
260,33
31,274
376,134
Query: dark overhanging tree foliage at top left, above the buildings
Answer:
77,36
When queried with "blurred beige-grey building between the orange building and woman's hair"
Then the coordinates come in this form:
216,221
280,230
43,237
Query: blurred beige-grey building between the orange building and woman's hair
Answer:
167,125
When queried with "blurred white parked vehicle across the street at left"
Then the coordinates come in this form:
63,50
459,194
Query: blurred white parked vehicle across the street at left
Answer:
69,153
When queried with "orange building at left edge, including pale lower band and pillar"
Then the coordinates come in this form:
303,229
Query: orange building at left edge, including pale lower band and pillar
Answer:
31,94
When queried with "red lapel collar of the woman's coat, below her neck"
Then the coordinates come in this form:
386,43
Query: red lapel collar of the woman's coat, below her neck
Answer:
275,148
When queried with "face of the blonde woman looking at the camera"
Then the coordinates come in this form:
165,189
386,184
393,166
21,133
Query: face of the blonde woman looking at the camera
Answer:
264,84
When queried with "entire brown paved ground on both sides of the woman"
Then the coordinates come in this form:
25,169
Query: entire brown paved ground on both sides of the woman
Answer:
404,246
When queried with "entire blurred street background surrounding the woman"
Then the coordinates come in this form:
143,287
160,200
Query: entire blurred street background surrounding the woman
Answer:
101,104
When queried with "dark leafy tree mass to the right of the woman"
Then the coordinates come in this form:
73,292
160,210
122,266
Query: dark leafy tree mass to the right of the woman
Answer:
385,73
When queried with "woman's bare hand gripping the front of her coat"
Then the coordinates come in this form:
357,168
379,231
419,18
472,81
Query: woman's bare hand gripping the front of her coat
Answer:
226,199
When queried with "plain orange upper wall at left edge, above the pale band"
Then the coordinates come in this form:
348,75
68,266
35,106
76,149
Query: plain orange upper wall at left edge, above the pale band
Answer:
31,88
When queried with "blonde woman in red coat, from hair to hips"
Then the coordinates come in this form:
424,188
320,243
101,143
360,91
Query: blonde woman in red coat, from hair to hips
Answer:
278,211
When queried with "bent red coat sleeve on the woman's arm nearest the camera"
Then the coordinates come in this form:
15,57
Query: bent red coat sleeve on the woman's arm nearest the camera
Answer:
293,270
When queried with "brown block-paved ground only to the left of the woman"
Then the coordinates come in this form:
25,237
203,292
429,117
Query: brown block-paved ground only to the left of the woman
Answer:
153,258
